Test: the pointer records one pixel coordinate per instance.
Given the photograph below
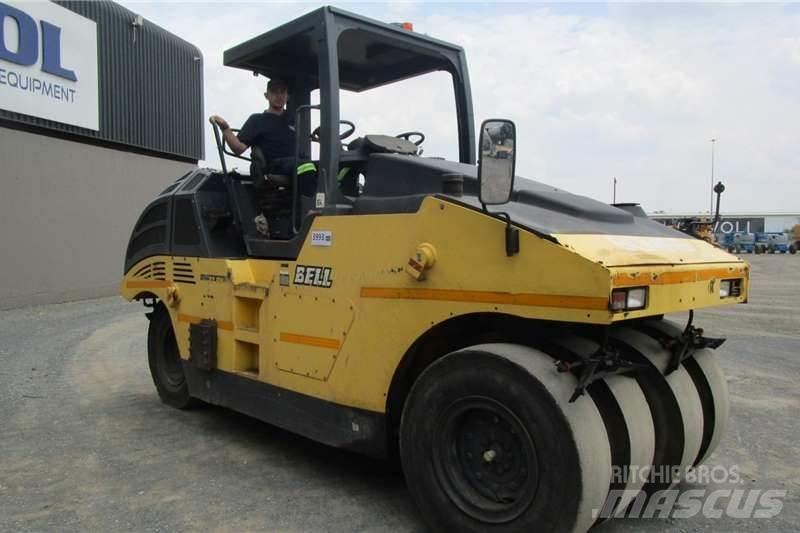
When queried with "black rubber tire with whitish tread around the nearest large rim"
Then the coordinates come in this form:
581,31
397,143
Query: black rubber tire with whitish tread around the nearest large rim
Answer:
573,454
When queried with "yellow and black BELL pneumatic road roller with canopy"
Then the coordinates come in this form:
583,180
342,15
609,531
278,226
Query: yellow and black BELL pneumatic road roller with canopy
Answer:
502,339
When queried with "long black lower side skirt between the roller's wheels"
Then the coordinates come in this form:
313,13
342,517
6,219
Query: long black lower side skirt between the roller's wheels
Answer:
335,425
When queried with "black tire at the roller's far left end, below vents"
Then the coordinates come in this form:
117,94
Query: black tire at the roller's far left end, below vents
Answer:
161,346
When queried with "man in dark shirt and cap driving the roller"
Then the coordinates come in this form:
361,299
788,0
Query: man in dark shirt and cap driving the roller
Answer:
273,132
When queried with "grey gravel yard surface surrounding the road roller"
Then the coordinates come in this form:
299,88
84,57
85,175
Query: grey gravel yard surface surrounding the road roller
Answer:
85,443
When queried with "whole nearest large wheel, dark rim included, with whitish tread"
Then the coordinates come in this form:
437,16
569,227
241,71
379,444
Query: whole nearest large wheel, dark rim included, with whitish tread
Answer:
566,455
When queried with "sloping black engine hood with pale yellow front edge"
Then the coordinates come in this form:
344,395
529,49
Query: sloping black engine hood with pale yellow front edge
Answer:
603,233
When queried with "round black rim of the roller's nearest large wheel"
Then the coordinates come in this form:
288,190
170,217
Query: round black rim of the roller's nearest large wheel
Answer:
485,460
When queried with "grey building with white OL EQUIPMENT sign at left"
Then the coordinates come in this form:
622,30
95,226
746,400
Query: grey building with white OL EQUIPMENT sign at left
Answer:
99,111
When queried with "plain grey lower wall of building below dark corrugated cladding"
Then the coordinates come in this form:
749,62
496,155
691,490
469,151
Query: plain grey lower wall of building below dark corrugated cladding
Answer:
66,212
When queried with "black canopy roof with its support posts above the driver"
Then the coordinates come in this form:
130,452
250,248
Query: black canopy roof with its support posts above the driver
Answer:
330,49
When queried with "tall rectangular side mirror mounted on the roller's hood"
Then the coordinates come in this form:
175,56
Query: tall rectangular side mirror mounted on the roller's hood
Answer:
498,156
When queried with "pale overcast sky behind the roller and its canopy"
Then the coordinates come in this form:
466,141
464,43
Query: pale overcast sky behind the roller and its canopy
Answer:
632,91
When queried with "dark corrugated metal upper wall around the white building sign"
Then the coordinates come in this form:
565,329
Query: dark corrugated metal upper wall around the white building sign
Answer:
151,86
